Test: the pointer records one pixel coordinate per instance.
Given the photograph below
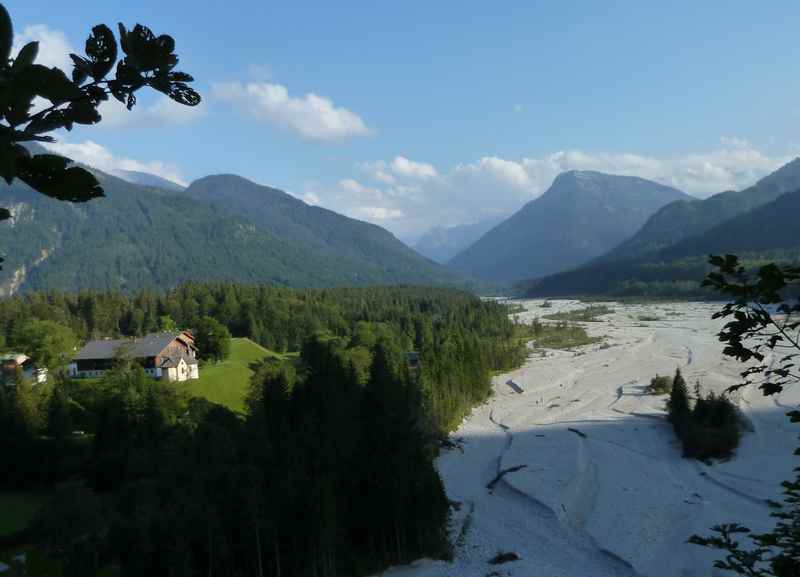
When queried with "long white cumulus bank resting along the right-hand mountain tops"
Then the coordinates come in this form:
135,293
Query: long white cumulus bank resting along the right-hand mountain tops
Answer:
413,201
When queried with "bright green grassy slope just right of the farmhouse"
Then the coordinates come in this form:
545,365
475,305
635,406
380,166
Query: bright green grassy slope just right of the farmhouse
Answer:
228,382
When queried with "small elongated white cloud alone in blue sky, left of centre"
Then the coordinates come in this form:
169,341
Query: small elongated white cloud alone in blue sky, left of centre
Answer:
311,116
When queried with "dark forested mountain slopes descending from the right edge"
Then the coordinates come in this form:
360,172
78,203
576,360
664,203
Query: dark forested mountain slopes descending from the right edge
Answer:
668,255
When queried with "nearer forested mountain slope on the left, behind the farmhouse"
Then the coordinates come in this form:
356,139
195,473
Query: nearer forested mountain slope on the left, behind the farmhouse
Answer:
150,237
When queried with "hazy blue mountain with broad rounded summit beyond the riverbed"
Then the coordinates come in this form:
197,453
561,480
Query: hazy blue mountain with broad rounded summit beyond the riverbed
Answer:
581,216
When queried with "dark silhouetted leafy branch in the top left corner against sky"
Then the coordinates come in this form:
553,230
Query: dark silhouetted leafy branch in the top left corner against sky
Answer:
148,60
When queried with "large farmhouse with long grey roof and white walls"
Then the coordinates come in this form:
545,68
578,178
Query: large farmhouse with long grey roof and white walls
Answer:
168,356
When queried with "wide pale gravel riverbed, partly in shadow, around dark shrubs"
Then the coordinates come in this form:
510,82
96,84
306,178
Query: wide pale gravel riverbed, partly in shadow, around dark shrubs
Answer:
603,489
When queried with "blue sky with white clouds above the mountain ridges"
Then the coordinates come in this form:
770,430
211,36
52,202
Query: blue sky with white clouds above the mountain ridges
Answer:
417,114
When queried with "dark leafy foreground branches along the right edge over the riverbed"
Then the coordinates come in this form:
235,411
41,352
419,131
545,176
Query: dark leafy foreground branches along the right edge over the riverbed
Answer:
765,322
